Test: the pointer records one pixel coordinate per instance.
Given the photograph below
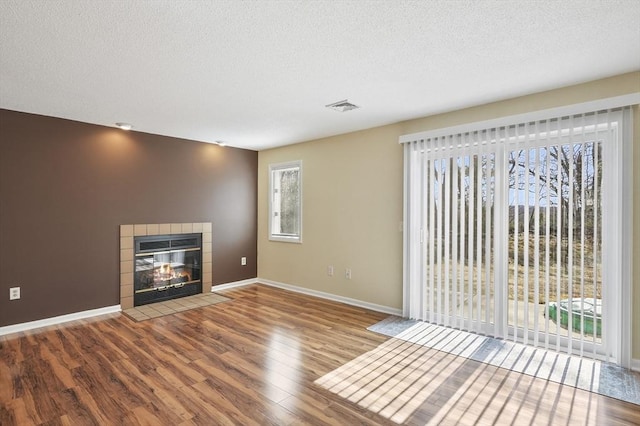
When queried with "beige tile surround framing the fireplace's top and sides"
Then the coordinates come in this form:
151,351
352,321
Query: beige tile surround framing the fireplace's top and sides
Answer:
127,232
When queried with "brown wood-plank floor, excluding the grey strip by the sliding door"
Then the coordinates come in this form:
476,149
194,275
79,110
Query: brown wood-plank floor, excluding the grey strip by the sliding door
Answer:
256,360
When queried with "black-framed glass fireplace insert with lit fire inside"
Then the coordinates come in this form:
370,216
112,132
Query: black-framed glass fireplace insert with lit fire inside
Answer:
166,267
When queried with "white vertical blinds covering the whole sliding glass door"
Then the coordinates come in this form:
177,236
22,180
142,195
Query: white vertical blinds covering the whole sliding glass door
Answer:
513,231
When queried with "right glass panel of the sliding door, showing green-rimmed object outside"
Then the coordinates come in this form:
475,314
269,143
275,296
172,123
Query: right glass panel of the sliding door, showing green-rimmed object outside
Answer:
555,245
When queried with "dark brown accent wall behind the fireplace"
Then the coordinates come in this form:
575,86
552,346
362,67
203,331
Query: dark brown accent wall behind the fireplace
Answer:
65,187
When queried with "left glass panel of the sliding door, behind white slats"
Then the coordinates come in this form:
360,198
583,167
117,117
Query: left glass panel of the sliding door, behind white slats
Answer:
459,225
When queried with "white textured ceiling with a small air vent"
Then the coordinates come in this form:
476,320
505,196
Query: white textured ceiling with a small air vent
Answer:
257,74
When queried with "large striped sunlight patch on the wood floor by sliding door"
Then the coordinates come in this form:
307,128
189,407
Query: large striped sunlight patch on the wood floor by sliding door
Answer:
409,382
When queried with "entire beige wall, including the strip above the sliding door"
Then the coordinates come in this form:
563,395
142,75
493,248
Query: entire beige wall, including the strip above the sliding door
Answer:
352,200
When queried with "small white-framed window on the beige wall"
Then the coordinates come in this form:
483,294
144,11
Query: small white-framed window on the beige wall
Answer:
285,202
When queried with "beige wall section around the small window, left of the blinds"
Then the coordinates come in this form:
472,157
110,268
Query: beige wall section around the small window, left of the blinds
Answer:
352,209
